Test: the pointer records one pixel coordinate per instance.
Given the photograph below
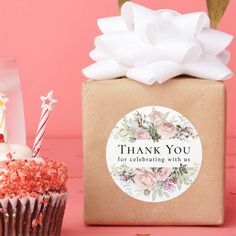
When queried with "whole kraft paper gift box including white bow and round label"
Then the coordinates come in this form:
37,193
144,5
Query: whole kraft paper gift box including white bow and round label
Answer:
154,140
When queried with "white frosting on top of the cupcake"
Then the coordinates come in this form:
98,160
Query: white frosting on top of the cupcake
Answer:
17,152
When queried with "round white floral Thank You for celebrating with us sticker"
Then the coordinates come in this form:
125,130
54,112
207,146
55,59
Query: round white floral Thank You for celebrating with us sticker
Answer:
154,154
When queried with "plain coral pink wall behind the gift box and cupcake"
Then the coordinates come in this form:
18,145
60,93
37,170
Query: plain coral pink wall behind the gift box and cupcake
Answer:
51,40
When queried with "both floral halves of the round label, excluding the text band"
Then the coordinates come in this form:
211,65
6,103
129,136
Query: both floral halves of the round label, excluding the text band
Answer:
156,183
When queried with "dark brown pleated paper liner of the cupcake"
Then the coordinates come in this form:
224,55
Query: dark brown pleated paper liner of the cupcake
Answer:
28,216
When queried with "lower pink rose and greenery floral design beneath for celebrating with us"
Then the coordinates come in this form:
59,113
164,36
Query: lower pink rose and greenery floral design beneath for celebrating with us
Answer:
154,183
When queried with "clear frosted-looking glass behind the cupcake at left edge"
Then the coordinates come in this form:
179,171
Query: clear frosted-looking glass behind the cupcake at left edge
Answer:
12,122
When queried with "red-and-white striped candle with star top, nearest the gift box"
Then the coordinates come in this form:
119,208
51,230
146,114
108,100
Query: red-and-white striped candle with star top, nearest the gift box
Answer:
47,105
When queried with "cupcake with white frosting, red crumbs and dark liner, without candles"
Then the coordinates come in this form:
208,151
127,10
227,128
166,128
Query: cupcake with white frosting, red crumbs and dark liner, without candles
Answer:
32,192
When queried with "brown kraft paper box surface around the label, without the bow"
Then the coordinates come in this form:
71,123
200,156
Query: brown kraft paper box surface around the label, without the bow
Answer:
105,103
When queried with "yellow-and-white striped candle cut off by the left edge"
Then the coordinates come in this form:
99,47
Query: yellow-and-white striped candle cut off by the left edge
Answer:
3,123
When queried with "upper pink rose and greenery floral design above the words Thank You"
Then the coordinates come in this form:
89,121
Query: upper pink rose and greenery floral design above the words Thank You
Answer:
156,126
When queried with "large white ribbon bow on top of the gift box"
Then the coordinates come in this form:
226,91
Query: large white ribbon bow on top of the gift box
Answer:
154,46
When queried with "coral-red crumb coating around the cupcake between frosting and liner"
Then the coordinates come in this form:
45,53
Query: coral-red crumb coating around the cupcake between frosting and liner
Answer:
21,178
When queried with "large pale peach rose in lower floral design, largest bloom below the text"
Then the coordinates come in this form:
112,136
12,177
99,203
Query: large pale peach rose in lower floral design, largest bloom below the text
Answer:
144,179
